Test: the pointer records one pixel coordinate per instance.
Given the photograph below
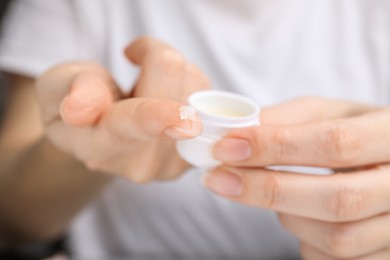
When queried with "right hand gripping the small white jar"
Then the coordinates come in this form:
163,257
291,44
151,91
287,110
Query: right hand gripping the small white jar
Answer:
339,216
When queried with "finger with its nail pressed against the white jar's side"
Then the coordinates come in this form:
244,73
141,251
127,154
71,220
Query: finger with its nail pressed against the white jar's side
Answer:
357,141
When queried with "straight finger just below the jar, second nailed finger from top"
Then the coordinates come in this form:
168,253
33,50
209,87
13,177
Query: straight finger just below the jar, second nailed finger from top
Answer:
335,198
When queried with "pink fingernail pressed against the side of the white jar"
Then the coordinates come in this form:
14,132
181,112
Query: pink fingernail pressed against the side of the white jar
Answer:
232,150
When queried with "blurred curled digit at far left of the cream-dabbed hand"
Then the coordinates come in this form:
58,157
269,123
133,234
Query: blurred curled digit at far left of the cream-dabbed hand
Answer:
77,92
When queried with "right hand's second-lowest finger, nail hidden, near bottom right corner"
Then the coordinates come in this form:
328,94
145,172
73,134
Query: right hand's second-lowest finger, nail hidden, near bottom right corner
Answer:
344,240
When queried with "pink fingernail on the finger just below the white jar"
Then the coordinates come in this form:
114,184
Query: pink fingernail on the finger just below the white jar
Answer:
223,183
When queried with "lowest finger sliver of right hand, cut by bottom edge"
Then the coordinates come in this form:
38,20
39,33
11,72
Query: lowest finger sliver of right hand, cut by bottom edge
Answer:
310,253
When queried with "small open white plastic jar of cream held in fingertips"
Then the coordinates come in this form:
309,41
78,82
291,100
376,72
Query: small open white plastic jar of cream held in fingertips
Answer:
219,112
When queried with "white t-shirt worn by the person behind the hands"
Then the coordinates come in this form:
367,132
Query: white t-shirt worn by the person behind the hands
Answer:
270,50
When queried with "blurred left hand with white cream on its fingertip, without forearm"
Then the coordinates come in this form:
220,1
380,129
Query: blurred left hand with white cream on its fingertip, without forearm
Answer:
87,116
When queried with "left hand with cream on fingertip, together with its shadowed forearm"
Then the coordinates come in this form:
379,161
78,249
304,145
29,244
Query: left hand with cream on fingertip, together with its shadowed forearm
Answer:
87,132
